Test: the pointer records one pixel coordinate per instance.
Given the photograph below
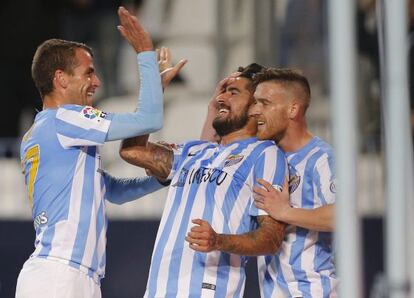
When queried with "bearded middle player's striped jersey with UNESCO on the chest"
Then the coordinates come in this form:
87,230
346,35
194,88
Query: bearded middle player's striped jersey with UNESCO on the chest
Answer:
214,183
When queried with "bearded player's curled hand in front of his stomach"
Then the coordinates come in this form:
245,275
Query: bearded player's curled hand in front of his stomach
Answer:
202,237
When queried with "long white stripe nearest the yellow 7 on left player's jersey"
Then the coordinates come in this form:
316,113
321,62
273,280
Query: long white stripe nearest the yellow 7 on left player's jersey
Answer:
65,231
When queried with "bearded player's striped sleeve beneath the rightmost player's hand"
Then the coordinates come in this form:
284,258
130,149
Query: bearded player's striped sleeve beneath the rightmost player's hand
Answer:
271,166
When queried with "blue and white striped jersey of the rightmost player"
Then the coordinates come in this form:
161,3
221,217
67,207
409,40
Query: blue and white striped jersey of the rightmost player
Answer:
304,265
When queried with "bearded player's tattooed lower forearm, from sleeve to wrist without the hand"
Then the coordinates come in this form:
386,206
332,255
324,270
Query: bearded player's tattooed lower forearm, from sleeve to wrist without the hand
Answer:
265,240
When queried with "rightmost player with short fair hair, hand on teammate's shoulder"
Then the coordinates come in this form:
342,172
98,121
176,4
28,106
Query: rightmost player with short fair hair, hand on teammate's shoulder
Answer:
303,266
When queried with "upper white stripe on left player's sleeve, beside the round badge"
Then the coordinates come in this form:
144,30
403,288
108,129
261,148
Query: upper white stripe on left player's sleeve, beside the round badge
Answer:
76,118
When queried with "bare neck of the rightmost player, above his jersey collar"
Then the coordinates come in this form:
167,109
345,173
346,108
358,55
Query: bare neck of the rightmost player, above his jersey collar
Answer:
295,138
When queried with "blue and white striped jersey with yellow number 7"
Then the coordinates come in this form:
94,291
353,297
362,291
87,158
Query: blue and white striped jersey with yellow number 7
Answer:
60,158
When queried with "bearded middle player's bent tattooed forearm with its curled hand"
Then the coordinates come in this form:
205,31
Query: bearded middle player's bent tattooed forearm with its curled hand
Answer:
265,240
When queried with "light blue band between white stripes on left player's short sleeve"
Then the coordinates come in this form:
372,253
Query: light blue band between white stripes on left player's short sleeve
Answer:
75,132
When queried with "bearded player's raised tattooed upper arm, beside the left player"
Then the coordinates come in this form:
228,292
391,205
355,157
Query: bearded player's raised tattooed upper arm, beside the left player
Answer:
156,158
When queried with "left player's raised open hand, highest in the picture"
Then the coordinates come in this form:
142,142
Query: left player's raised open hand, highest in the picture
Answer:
133,32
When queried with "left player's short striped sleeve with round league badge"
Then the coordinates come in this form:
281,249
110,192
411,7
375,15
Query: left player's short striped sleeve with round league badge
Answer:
81,125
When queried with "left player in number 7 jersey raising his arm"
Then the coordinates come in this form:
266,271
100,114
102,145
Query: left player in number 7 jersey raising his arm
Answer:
60,156
